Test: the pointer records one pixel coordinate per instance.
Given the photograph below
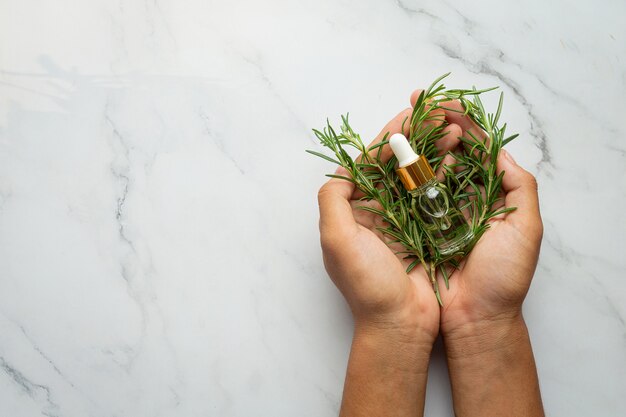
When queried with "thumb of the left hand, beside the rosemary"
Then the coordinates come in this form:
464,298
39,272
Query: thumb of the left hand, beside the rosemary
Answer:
336,217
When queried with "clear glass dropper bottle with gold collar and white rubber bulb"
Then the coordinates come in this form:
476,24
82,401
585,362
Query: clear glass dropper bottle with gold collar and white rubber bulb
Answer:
431,202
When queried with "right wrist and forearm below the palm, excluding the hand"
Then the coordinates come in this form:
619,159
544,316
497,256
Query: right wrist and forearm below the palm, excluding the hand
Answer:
493,360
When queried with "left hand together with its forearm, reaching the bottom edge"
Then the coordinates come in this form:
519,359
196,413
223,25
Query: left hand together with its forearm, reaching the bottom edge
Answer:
396,314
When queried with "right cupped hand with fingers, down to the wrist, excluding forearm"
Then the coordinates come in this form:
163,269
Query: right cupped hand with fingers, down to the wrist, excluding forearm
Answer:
494,278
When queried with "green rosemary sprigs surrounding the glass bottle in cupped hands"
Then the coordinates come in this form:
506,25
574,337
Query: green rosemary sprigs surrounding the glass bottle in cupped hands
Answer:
472,178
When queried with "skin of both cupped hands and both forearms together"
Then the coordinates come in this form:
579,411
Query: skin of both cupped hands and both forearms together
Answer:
397,317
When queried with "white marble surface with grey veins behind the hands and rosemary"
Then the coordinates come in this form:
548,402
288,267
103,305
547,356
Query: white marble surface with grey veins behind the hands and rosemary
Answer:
159,250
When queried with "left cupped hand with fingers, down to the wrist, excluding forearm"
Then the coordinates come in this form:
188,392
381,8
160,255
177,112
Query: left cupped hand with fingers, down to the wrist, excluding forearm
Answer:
365,268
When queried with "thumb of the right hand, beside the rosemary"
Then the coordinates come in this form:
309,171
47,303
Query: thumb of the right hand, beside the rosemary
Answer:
520,187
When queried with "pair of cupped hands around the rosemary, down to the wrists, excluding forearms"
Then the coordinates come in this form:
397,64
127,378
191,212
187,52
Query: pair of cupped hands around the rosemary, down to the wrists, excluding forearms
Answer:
493,279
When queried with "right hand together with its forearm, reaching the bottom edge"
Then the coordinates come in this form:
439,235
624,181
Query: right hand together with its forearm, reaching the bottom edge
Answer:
490,359
